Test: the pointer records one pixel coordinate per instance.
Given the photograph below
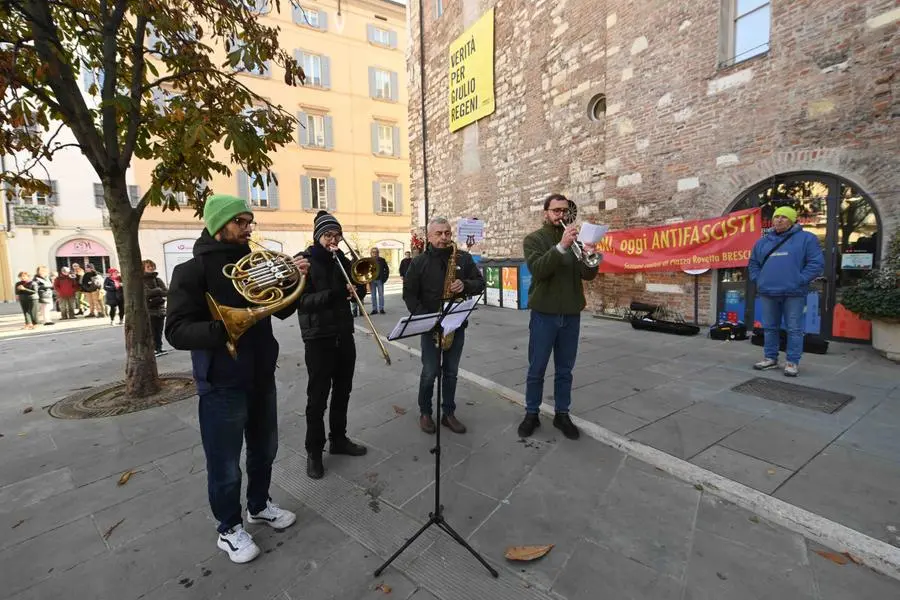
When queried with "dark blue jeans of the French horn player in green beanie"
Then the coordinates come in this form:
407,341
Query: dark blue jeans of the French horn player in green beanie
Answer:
227,416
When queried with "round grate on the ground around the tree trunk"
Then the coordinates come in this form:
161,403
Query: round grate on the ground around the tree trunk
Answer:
109,400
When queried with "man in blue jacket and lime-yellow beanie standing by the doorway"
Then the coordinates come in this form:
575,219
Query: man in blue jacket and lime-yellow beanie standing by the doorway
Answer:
783,264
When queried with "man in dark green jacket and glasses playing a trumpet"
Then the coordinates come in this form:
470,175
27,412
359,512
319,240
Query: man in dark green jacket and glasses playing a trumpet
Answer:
556,299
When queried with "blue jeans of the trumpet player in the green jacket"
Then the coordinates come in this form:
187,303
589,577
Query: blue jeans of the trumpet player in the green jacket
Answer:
557,334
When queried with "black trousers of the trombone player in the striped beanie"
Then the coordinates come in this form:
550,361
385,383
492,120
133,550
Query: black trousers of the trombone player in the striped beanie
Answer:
330,363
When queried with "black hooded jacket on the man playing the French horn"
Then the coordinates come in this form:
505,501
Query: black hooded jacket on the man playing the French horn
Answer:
190,325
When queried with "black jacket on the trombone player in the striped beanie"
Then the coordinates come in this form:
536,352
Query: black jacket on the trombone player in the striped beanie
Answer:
324,310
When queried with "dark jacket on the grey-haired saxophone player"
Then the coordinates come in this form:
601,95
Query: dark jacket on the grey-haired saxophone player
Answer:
423,285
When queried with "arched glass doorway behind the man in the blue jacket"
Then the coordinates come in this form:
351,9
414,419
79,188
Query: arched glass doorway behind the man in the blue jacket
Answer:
847,224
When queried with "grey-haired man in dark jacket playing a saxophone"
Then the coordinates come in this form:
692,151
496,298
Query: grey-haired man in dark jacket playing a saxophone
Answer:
442,272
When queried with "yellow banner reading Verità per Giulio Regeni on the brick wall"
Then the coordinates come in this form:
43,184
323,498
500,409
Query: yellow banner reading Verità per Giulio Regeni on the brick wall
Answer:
472,73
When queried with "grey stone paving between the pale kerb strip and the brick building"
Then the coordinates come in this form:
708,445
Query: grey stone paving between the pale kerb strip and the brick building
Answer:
674,393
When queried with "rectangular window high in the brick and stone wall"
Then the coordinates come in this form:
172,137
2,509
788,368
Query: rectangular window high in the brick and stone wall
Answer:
746,26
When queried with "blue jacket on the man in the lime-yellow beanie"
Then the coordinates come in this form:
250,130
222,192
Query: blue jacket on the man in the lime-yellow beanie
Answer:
791,268
